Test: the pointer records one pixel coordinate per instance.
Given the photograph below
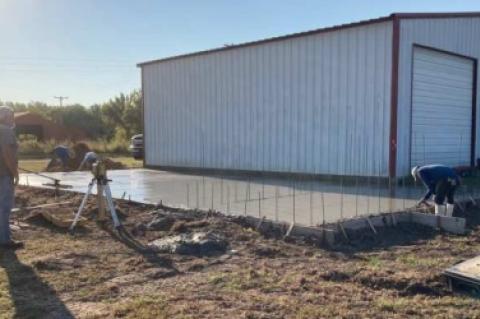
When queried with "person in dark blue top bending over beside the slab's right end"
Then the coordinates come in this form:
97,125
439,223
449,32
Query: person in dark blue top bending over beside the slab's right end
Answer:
440,181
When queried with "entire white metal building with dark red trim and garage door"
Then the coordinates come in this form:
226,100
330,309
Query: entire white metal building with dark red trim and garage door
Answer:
370,98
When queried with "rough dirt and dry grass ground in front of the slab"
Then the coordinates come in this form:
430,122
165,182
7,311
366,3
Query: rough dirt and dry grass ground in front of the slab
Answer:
97,273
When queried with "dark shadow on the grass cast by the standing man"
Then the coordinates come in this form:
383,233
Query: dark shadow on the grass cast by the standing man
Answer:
31,297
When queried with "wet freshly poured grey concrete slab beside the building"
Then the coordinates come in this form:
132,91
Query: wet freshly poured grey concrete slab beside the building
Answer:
304,202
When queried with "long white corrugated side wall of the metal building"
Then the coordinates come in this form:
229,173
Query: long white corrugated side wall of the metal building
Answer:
314,104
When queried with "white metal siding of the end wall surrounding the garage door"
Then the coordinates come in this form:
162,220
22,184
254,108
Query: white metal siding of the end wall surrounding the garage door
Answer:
458,35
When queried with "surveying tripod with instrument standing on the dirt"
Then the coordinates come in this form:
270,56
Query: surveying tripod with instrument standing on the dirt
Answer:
99,172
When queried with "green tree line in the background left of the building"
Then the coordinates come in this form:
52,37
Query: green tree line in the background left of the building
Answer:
119,118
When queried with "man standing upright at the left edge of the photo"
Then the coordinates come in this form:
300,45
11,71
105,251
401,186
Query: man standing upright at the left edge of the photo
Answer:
8,176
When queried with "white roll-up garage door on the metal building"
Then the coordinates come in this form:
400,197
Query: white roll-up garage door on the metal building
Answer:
442,94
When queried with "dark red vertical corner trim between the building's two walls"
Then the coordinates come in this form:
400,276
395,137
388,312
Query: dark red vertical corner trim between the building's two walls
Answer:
392,162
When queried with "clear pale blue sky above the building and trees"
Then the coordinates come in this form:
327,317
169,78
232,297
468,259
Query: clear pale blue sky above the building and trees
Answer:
88,49
